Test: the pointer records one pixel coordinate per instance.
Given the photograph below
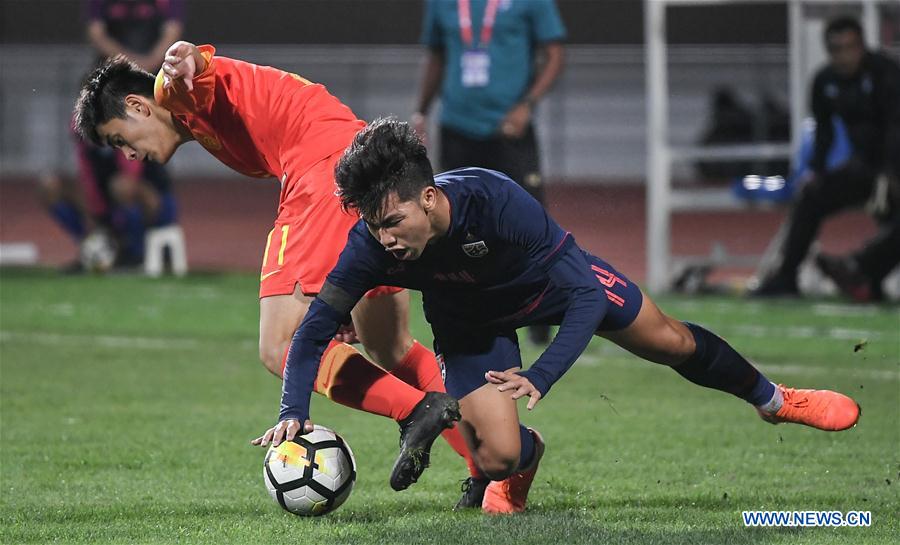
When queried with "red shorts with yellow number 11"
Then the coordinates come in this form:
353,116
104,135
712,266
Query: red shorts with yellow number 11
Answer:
308,236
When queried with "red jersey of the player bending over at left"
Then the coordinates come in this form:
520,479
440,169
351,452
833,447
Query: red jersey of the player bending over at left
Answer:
259,120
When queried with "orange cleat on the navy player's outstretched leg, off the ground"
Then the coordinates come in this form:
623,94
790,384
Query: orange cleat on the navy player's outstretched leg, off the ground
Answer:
822,409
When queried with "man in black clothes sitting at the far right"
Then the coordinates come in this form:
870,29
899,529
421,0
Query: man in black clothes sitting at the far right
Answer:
862,89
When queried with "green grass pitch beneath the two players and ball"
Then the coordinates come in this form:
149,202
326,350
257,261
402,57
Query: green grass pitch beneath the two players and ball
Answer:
126,407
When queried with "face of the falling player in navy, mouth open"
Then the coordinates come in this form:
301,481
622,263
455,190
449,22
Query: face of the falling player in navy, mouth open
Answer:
404,227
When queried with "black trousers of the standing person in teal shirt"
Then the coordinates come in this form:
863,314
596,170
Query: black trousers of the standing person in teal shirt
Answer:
516,157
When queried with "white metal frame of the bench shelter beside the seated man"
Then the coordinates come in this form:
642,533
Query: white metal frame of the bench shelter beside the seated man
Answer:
666,154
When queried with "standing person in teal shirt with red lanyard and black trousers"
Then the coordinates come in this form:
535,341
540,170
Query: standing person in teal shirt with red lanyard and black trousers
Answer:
491,61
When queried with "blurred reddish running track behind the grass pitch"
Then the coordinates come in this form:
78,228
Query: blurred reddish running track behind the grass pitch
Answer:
226,222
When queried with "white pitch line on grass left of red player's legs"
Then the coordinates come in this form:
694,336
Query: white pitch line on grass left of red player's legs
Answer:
106,341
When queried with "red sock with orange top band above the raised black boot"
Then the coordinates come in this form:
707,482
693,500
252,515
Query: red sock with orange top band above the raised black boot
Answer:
347,377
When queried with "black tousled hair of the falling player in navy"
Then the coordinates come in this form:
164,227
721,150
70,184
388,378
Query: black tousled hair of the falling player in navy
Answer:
385,157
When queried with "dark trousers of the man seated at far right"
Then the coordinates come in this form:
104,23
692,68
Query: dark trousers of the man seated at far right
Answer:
847,187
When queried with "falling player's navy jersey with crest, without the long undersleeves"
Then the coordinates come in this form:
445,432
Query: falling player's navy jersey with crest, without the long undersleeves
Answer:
492,262
